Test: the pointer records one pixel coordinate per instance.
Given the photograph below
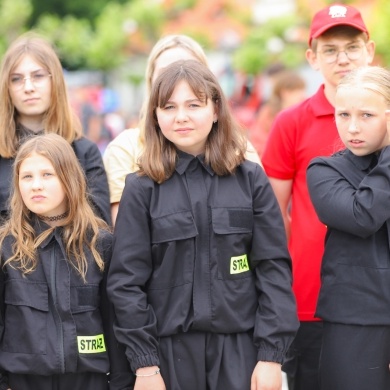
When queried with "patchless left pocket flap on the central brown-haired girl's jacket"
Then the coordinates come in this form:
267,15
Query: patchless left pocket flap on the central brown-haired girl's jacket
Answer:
173,227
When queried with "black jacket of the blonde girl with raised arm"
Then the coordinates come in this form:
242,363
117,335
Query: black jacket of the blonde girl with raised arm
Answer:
352,197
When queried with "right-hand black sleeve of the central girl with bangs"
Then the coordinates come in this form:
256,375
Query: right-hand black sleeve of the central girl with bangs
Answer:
276,317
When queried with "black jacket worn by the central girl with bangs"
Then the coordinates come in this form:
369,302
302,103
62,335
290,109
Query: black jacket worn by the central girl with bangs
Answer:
198,253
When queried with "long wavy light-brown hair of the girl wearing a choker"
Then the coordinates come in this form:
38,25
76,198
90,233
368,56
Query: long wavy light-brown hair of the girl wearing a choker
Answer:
81,227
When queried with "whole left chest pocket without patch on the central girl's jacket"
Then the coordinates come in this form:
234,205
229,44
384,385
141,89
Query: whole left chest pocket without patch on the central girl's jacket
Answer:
173,249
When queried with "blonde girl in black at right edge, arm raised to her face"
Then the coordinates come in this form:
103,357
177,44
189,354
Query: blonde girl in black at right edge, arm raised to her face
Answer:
351,194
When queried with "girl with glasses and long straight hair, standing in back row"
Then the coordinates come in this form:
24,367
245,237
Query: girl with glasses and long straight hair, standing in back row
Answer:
34,100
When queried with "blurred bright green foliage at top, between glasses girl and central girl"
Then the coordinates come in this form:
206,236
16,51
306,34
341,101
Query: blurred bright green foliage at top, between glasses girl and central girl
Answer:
102,44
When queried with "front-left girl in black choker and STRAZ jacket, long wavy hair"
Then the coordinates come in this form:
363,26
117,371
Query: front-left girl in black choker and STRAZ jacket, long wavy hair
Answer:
56,323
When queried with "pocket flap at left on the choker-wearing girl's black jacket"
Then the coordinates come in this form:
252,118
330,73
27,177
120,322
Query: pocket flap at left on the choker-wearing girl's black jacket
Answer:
20,292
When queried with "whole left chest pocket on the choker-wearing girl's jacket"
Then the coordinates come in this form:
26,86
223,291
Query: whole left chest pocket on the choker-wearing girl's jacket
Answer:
27,306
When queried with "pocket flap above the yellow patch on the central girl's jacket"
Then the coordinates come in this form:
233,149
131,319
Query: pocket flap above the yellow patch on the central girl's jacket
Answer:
228,220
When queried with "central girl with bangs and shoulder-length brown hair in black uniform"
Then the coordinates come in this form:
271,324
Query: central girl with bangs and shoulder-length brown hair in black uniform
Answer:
200,276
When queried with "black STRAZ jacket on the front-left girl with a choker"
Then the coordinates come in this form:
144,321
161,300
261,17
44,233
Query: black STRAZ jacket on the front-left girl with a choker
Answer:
54,323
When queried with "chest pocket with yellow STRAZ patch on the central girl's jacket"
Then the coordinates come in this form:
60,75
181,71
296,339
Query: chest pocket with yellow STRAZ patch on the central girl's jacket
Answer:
232,227
